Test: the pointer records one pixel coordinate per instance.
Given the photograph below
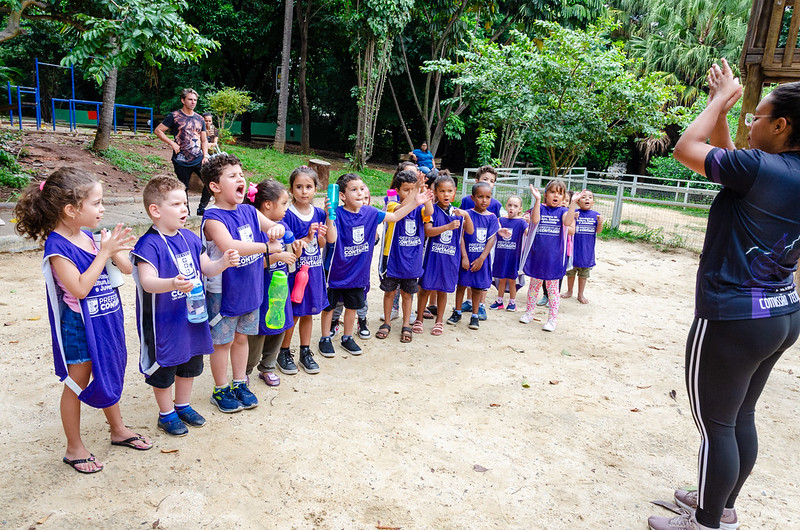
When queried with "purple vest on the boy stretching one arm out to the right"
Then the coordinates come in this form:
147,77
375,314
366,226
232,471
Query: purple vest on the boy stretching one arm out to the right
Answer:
352,252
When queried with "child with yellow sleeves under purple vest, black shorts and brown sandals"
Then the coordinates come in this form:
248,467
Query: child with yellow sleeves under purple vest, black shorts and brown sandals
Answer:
404,251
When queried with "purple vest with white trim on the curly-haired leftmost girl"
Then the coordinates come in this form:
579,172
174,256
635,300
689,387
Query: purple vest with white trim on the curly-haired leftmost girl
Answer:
102,316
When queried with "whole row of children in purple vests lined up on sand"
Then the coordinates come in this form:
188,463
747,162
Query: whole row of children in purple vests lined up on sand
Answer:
254,235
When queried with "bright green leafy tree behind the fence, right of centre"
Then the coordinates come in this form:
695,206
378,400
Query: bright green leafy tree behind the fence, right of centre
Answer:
565,90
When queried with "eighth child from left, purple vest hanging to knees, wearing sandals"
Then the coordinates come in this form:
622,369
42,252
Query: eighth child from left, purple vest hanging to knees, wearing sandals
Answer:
442,252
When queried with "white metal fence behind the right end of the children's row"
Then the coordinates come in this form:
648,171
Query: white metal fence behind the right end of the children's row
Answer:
670,211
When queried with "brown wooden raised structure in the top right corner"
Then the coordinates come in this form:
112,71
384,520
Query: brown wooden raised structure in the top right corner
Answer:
763,61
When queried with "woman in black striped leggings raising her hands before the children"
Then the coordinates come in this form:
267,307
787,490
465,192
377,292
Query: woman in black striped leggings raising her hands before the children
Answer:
746,304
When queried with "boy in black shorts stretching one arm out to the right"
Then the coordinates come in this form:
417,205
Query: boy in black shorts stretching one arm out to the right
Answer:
353,233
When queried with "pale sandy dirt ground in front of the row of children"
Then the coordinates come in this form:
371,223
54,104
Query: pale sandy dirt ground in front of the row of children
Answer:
440,433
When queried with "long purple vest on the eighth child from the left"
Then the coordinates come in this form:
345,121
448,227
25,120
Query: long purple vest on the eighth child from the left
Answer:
442,255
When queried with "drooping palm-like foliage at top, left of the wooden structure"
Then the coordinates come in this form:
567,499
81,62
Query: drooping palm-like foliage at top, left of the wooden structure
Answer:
684,37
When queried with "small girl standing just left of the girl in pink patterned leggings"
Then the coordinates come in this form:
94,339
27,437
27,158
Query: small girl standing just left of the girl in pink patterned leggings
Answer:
508,249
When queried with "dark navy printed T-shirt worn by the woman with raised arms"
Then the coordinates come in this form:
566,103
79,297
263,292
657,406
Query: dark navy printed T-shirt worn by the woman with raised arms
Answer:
752,241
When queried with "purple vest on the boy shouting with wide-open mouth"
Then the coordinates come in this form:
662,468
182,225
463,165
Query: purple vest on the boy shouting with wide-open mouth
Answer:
243,285
